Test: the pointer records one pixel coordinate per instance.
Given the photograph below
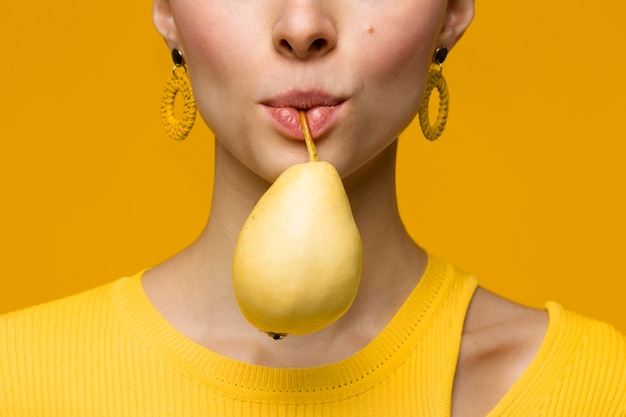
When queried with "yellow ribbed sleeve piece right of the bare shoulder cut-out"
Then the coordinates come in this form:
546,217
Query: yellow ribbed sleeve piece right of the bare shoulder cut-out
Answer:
580,370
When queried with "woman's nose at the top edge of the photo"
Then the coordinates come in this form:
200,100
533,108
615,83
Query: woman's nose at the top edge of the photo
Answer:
304,30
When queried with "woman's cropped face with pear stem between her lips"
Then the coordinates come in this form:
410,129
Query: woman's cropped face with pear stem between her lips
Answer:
357,67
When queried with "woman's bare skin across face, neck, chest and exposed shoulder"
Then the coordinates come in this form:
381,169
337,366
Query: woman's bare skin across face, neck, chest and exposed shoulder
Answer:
371,59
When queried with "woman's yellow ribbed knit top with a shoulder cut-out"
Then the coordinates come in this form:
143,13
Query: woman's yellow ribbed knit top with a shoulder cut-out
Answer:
108,352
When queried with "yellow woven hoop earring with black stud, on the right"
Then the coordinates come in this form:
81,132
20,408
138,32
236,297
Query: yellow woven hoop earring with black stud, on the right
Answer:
435,80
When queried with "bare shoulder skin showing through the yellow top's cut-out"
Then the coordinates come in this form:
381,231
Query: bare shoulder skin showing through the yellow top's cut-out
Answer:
500,339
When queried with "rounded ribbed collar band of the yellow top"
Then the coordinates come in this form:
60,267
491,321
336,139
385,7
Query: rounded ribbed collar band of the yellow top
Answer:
233,378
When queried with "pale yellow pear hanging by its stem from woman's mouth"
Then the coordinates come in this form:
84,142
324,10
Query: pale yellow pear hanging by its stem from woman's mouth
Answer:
297,261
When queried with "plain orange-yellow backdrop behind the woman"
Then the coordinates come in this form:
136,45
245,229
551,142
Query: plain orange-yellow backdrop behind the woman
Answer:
526,188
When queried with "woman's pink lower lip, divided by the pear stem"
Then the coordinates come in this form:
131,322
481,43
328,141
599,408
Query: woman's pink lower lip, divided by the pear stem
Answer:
287,120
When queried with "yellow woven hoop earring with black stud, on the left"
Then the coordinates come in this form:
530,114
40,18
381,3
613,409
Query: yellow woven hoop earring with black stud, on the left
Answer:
178,83
